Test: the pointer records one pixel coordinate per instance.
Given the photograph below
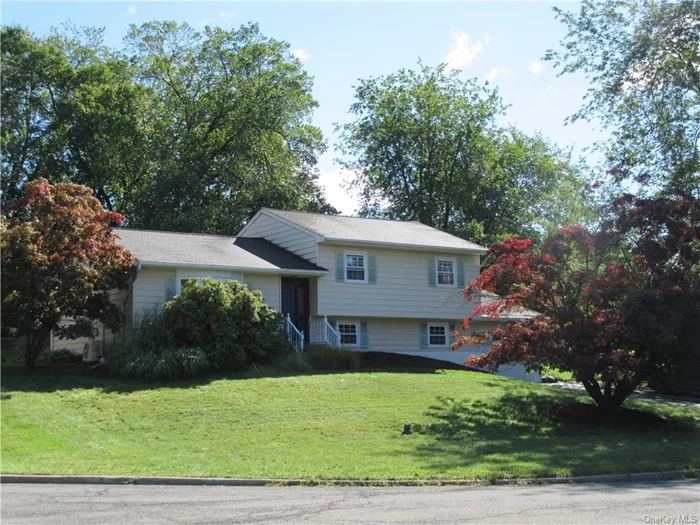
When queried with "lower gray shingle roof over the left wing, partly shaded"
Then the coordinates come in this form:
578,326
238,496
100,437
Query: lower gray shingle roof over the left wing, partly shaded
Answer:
188,249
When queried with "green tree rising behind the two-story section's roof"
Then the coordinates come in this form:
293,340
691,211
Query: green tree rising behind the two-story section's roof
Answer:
425,145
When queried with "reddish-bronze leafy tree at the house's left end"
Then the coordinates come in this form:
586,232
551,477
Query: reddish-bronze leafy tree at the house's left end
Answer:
60,259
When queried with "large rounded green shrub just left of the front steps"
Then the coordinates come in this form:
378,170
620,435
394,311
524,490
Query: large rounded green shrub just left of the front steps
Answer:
232,323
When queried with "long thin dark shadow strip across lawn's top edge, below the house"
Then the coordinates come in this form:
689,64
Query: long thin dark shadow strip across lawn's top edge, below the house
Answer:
61,377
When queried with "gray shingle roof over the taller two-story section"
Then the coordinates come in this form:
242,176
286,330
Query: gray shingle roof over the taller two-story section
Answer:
359,230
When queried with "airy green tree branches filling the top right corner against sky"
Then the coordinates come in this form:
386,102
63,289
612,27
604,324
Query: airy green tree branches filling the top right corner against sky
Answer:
642,59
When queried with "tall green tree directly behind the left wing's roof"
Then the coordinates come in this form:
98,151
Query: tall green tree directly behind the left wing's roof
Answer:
229,125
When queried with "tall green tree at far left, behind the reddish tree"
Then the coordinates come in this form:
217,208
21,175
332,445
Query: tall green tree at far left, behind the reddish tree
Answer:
71,112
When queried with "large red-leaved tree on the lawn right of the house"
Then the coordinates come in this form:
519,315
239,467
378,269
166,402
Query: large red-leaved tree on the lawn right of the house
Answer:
613,308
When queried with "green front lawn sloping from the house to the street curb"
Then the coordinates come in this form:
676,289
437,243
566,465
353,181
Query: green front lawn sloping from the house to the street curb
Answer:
345,425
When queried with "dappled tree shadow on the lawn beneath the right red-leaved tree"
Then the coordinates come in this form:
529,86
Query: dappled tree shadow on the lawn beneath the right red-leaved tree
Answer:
517,435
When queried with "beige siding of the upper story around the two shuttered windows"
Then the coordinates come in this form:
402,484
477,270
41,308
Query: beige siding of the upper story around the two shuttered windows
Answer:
401,289
